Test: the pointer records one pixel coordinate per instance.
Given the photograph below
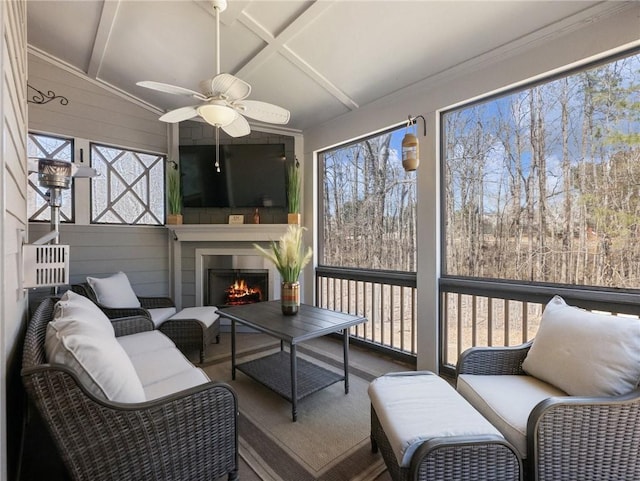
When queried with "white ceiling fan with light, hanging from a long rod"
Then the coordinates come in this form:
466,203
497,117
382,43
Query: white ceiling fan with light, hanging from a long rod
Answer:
223,98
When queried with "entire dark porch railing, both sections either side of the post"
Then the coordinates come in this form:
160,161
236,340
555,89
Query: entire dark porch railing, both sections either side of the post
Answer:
472,312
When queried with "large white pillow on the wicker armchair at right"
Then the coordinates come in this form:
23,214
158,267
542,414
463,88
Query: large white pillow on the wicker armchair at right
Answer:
584,353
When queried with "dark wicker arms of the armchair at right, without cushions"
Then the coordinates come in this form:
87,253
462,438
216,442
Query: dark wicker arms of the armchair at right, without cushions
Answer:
570,438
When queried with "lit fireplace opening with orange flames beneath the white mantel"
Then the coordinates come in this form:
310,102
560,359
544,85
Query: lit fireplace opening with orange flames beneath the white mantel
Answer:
232,287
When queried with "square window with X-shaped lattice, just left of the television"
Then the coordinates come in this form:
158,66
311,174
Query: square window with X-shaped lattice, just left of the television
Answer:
129,188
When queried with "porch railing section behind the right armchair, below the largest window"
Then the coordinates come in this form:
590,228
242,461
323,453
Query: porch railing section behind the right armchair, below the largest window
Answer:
493,313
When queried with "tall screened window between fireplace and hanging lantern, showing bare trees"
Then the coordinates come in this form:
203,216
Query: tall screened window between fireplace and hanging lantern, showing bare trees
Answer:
368,207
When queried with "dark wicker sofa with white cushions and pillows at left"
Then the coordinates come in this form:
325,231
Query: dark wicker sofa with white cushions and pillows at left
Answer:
182,428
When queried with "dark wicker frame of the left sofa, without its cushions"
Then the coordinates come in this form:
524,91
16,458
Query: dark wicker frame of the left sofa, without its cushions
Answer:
191,434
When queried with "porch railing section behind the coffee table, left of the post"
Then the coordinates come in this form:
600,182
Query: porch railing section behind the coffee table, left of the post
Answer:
386,298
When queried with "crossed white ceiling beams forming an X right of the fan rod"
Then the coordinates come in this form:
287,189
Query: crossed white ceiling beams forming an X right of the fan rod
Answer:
277,46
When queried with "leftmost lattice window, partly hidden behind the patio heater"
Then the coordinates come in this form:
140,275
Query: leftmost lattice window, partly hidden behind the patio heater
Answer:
48,147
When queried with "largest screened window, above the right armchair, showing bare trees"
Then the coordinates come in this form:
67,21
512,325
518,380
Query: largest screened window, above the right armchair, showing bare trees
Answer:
543,184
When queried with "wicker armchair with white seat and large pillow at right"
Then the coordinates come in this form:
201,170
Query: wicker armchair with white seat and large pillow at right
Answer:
569,400
